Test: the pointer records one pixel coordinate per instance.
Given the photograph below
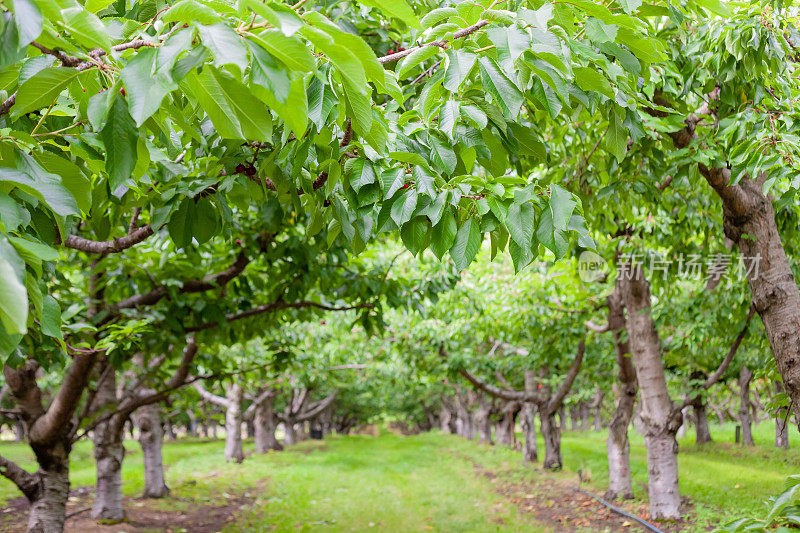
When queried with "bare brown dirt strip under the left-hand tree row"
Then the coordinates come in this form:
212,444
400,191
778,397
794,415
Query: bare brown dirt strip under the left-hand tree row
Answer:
141,515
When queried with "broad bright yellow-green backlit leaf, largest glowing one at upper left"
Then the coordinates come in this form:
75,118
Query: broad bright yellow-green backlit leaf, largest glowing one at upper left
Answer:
233,109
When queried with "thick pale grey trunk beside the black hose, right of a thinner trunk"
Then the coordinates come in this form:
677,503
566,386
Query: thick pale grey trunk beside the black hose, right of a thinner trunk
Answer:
660,417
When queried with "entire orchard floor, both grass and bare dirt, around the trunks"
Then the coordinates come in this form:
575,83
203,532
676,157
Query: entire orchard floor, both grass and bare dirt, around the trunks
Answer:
427,482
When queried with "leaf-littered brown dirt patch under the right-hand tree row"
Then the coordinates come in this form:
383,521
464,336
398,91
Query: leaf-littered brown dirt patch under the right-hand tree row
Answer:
559,506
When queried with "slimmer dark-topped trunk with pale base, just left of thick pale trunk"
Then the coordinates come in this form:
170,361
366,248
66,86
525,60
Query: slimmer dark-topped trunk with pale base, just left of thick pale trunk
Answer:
625,391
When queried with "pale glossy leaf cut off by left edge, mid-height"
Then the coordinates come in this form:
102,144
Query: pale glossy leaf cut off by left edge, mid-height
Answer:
13,296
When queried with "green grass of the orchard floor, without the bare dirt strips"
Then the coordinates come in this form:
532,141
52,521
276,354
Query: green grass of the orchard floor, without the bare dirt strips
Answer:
395,483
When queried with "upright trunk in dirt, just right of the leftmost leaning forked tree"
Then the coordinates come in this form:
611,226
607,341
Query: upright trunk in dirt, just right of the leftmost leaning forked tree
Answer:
108,454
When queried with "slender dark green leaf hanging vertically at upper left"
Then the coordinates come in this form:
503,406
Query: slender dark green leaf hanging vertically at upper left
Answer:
120,136
